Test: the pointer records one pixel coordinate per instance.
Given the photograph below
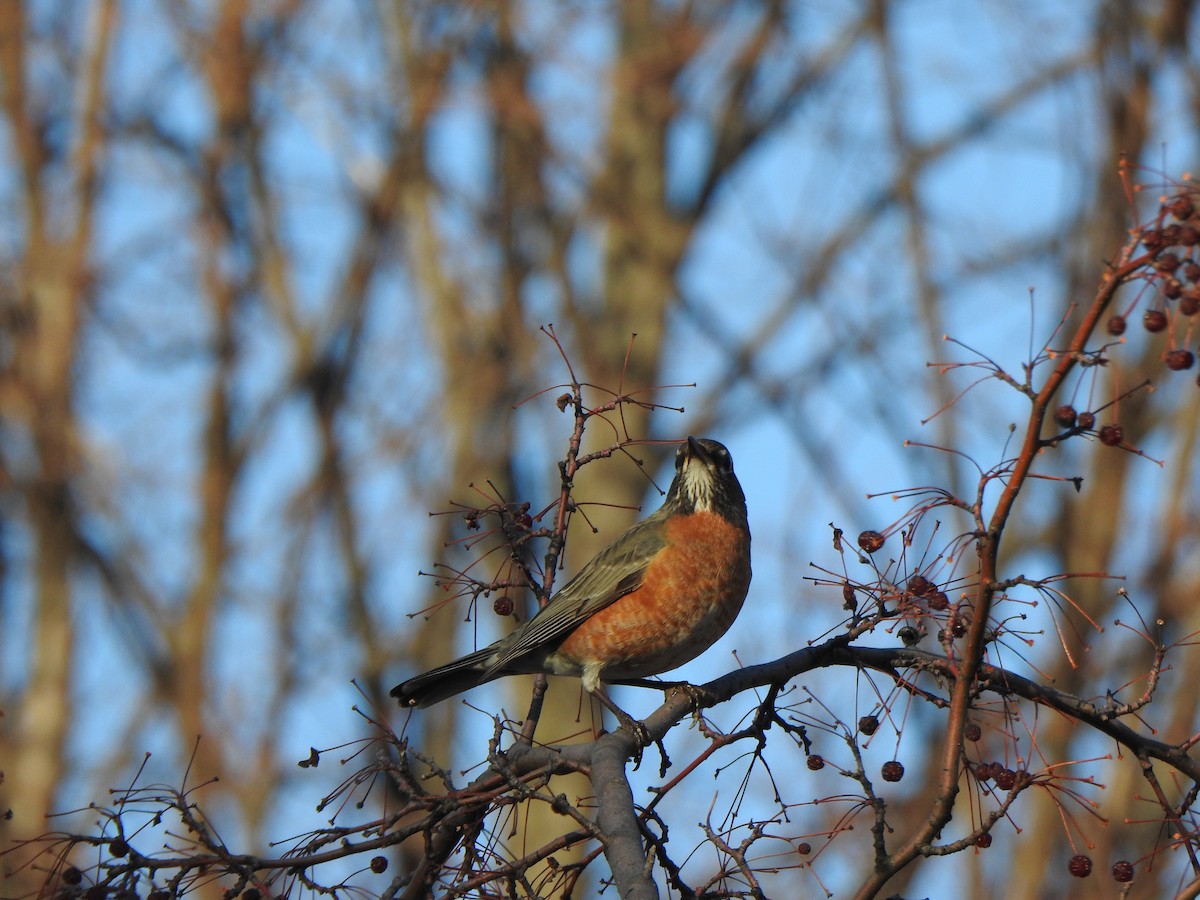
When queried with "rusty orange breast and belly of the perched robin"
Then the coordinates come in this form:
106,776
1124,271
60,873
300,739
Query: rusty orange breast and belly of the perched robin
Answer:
691,597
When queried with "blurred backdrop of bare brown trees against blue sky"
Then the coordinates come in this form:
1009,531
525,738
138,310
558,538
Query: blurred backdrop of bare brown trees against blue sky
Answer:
273,275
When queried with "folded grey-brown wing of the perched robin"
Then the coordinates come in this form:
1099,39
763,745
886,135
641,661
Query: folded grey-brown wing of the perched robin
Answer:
615,572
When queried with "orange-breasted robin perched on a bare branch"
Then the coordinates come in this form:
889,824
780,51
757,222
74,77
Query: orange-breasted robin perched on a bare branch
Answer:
657,597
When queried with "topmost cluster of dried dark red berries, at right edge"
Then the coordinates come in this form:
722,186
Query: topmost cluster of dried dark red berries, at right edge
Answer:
1175,274
